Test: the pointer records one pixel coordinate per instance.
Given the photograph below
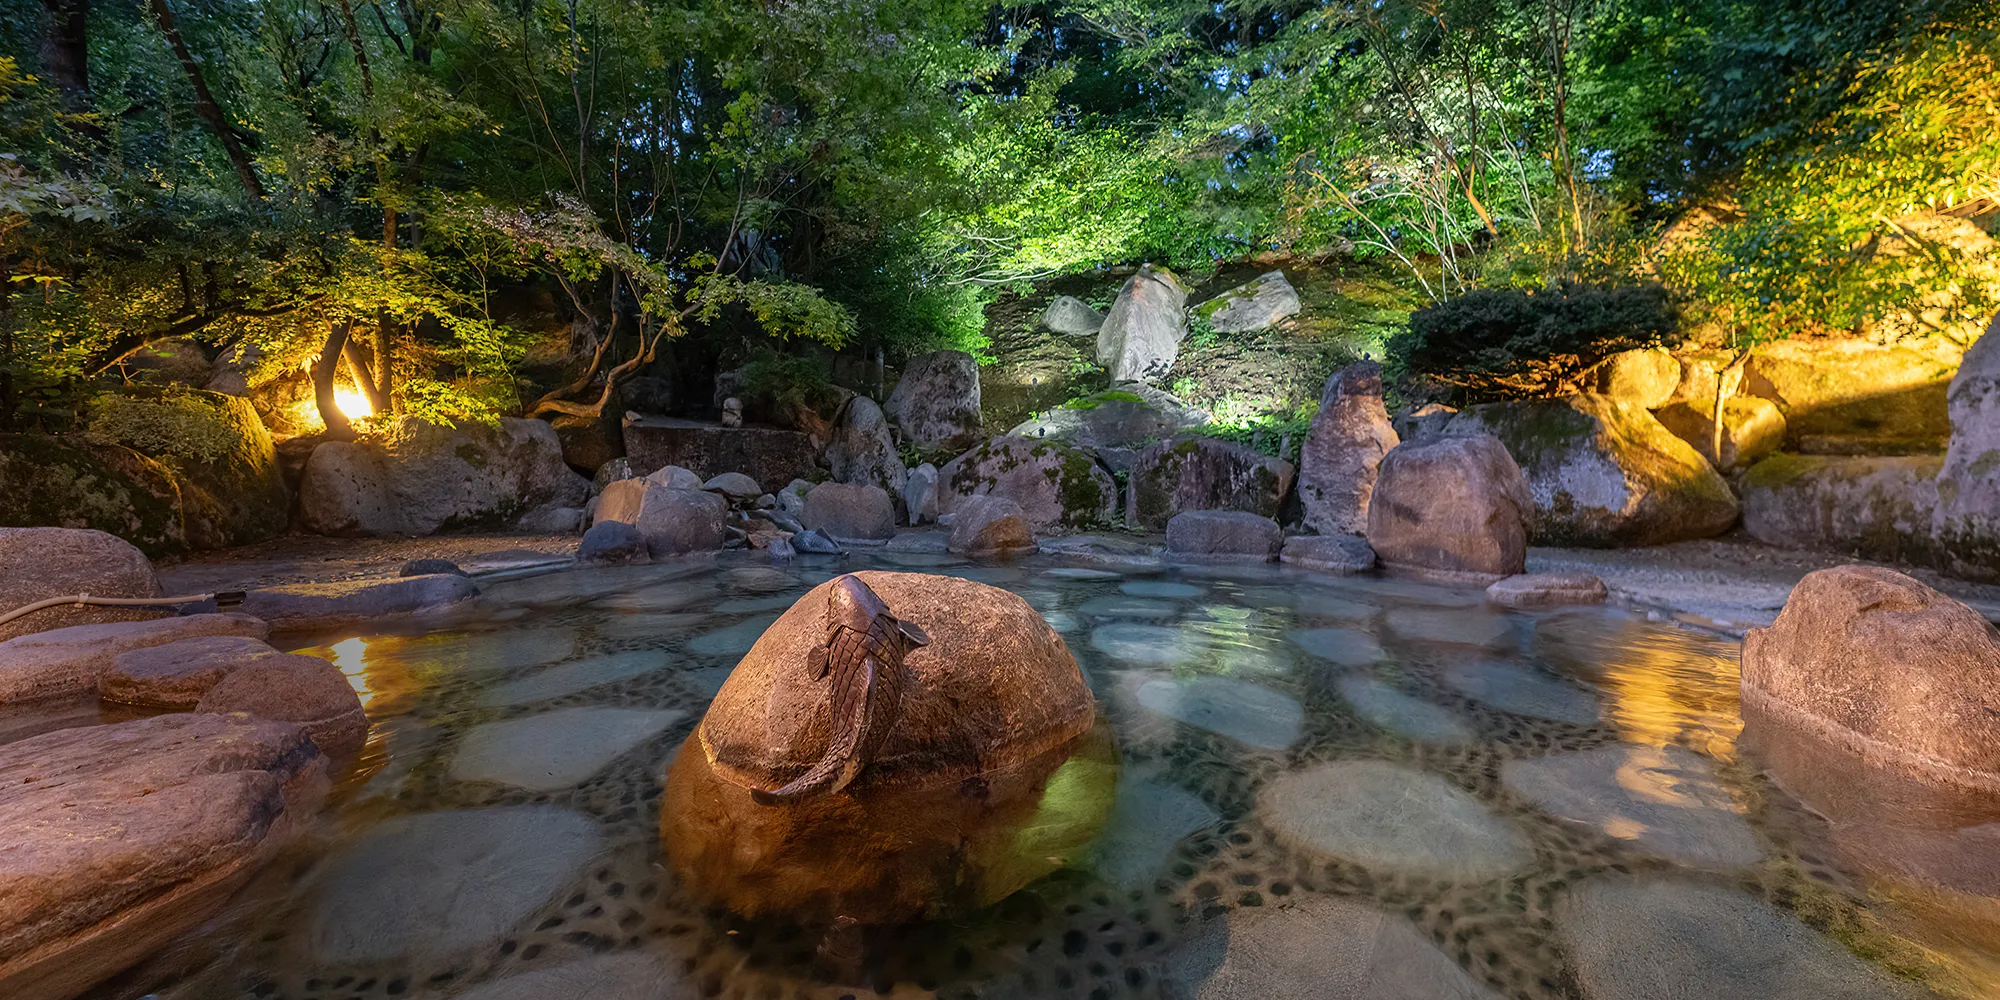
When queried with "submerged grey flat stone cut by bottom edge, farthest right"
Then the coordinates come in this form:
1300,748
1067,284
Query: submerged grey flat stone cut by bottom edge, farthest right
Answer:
1671,939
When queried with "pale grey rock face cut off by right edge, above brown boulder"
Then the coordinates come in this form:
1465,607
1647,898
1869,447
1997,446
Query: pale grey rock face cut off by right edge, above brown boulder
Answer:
1969,487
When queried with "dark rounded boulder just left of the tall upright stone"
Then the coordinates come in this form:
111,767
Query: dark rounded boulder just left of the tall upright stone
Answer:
1203,475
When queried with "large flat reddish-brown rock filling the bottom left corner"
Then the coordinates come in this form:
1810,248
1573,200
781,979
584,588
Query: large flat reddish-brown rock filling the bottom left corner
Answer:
121,839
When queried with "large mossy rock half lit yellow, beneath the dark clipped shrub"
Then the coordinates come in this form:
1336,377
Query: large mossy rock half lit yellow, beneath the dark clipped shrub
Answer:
1605,475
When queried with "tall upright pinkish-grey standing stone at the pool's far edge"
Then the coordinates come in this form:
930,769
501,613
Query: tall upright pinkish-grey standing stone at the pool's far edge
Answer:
1345,451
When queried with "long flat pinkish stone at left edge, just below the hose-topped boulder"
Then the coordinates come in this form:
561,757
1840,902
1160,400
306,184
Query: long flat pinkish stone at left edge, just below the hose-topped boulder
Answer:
73,661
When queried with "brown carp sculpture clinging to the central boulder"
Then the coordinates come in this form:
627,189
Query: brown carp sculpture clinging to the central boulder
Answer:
863,653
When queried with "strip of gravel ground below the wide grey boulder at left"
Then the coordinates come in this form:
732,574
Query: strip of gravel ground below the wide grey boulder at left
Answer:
311,559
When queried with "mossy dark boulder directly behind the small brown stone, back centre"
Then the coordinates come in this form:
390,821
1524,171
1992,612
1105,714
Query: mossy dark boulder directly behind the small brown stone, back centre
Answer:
1055,483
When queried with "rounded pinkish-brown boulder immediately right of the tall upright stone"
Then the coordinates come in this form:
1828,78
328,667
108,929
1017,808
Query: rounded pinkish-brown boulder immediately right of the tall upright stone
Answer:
1451,509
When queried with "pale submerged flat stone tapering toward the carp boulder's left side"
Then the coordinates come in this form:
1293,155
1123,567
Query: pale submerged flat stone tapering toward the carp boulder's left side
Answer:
555,749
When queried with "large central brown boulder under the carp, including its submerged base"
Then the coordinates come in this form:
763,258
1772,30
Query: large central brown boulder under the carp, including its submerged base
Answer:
989,773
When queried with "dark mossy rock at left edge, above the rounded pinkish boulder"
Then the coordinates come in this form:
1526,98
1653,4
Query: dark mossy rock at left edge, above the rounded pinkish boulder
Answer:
69,483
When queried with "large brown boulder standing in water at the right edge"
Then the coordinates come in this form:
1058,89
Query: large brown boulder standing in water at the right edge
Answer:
1887,669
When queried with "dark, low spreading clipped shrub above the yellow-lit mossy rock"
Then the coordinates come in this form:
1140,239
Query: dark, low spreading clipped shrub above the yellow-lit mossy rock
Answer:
1507,343
